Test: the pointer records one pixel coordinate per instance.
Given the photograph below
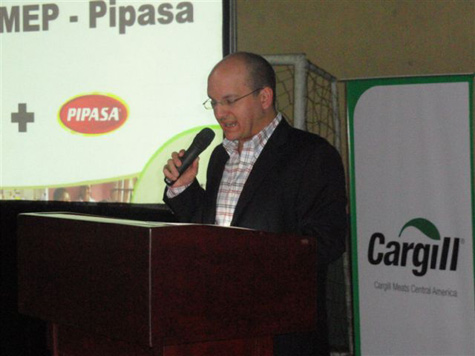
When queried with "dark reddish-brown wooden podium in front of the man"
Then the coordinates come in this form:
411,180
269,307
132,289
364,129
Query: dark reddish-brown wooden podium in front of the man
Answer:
123,287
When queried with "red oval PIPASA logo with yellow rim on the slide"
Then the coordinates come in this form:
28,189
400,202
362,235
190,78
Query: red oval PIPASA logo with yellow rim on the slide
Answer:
93,114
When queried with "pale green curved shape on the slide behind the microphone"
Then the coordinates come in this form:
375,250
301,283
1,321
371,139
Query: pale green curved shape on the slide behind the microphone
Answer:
150,185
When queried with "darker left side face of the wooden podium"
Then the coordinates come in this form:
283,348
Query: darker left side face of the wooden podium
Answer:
88,274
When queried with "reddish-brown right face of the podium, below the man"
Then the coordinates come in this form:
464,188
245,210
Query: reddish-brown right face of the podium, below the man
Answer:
212,283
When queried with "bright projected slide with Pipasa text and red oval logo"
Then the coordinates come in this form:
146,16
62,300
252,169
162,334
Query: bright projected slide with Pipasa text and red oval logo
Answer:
93,91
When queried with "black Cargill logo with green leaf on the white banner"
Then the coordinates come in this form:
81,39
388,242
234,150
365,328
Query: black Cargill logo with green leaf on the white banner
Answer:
439,254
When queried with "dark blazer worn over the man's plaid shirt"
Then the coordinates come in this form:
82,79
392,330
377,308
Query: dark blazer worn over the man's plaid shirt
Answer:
296,186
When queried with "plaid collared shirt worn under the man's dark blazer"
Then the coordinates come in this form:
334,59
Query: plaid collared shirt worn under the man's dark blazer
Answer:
237,170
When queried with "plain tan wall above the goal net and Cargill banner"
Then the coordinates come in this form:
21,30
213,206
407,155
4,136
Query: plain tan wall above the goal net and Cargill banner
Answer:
363,38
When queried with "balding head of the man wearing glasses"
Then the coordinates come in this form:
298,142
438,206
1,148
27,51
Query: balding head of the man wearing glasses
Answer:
242,91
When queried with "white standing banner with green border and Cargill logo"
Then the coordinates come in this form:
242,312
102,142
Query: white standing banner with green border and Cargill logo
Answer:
412,215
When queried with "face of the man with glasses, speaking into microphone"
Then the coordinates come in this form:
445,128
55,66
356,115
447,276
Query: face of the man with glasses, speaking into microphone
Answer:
244,118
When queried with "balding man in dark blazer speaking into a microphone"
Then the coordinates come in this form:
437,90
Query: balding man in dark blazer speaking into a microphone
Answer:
266,176
